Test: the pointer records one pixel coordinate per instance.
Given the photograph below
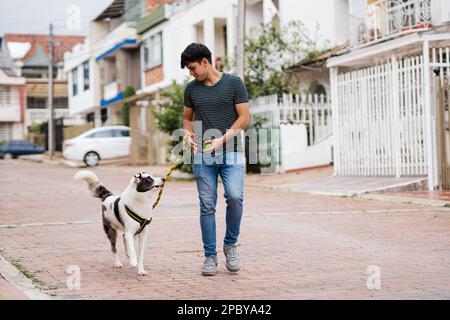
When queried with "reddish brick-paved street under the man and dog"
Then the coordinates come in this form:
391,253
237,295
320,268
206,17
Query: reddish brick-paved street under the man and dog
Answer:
293,245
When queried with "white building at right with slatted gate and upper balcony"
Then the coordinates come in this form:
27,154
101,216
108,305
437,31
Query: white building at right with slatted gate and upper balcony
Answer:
385,95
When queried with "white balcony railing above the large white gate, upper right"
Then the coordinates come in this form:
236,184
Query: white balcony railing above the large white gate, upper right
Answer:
389,19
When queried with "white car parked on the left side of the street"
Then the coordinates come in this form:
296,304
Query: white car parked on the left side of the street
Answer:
99,143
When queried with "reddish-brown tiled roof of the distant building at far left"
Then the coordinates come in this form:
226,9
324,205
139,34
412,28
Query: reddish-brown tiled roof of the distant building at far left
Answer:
39,45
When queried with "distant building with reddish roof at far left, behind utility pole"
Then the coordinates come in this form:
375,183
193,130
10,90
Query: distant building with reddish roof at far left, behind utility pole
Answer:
26,56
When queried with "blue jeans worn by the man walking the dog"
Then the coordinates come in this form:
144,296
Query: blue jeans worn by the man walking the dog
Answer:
207,168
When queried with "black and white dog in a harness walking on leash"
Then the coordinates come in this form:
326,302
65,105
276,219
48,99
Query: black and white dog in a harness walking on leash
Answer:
130,213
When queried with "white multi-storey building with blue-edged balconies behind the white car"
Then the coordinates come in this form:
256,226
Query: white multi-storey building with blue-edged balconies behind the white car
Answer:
107,63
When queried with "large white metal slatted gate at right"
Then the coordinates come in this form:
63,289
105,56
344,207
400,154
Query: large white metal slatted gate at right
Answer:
379,121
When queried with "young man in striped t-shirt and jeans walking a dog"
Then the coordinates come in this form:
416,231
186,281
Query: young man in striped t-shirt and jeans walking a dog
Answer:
216,104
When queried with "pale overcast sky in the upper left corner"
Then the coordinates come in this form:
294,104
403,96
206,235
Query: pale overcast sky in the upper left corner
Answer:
69,17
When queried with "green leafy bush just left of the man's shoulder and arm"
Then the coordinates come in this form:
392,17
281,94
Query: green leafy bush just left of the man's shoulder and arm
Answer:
169,115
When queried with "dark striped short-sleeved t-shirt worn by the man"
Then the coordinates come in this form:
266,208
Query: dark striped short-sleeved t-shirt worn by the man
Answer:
214,106
